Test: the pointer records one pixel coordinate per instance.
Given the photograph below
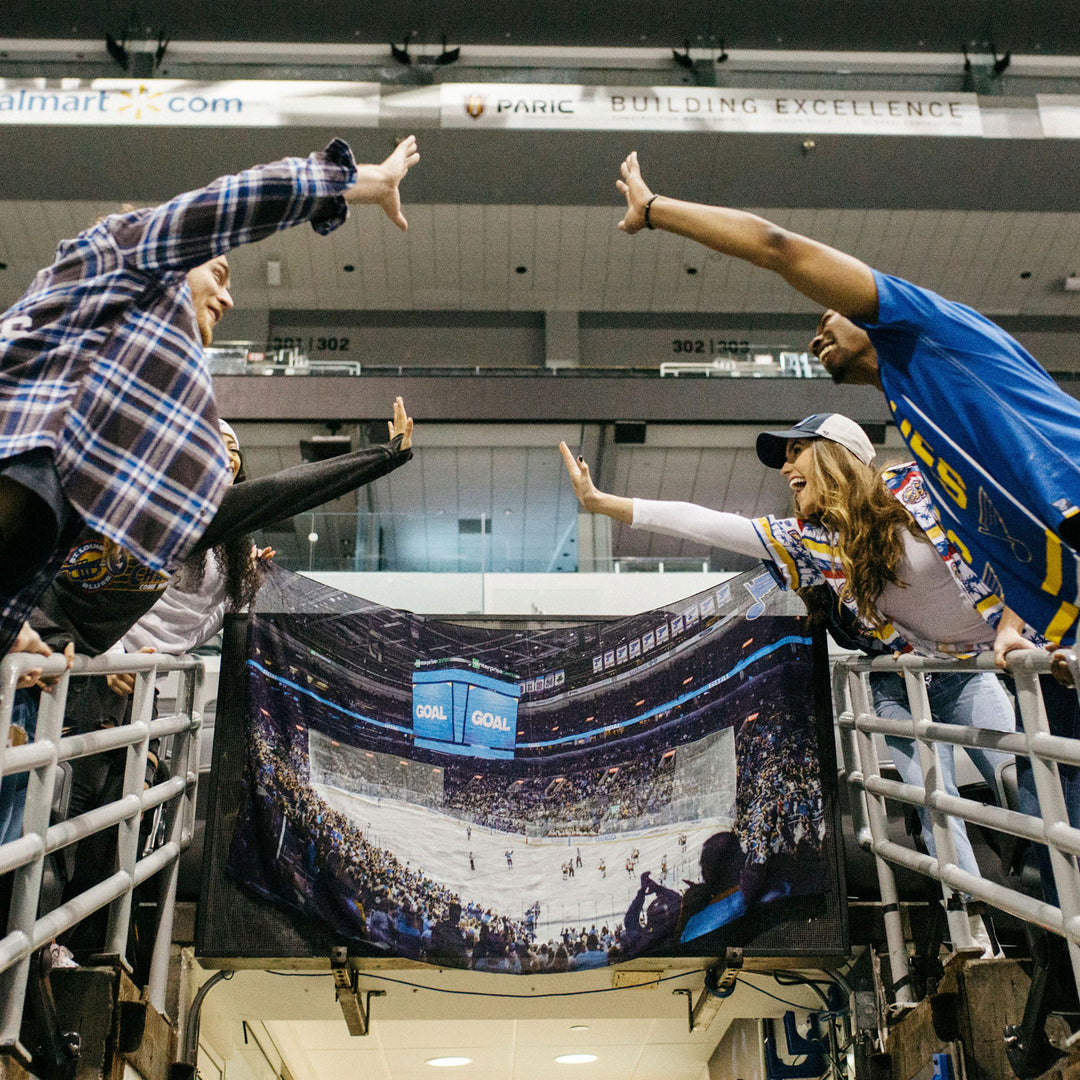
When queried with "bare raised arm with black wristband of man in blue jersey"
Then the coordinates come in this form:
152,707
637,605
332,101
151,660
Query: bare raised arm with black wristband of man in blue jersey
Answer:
829,277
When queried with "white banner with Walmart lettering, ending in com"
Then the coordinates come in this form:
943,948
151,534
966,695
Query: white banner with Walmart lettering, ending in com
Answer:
173,103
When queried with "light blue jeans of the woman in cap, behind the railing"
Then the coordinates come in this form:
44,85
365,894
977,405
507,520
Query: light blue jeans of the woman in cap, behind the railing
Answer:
971,700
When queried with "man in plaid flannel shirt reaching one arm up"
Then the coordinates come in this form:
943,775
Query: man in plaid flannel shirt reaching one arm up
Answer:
107,414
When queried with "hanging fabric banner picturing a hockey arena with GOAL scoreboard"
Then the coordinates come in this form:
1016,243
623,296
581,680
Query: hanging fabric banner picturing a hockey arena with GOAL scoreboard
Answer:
533,801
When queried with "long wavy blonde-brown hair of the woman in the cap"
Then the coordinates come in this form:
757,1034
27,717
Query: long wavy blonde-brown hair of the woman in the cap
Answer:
867,519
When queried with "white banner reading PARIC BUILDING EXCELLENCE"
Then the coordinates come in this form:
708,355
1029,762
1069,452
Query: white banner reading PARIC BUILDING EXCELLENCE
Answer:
710,110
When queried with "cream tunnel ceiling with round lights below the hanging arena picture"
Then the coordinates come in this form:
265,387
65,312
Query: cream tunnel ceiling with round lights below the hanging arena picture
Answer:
510,1028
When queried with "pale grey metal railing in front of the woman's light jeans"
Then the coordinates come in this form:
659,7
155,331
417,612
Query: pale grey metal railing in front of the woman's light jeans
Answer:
859,724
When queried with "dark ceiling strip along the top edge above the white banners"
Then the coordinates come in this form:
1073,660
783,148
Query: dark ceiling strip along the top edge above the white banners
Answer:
1047,28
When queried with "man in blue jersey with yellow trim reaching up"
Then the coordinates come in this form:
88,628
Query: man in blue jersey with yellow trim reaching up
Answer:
997,441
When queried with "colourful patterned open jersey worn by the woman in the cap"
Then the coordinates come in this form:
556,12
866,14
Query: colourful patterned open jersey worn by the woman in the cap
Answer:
803,553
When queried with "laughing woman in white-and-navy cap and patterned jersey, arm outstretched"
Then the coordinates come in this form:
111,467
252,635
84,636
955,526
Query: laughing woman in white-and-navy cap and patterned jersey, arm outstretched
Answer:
897,583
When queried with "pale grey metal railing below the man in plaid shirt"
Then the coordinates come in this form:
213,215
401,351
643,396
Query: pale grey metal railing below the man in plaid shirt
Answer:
29,929
